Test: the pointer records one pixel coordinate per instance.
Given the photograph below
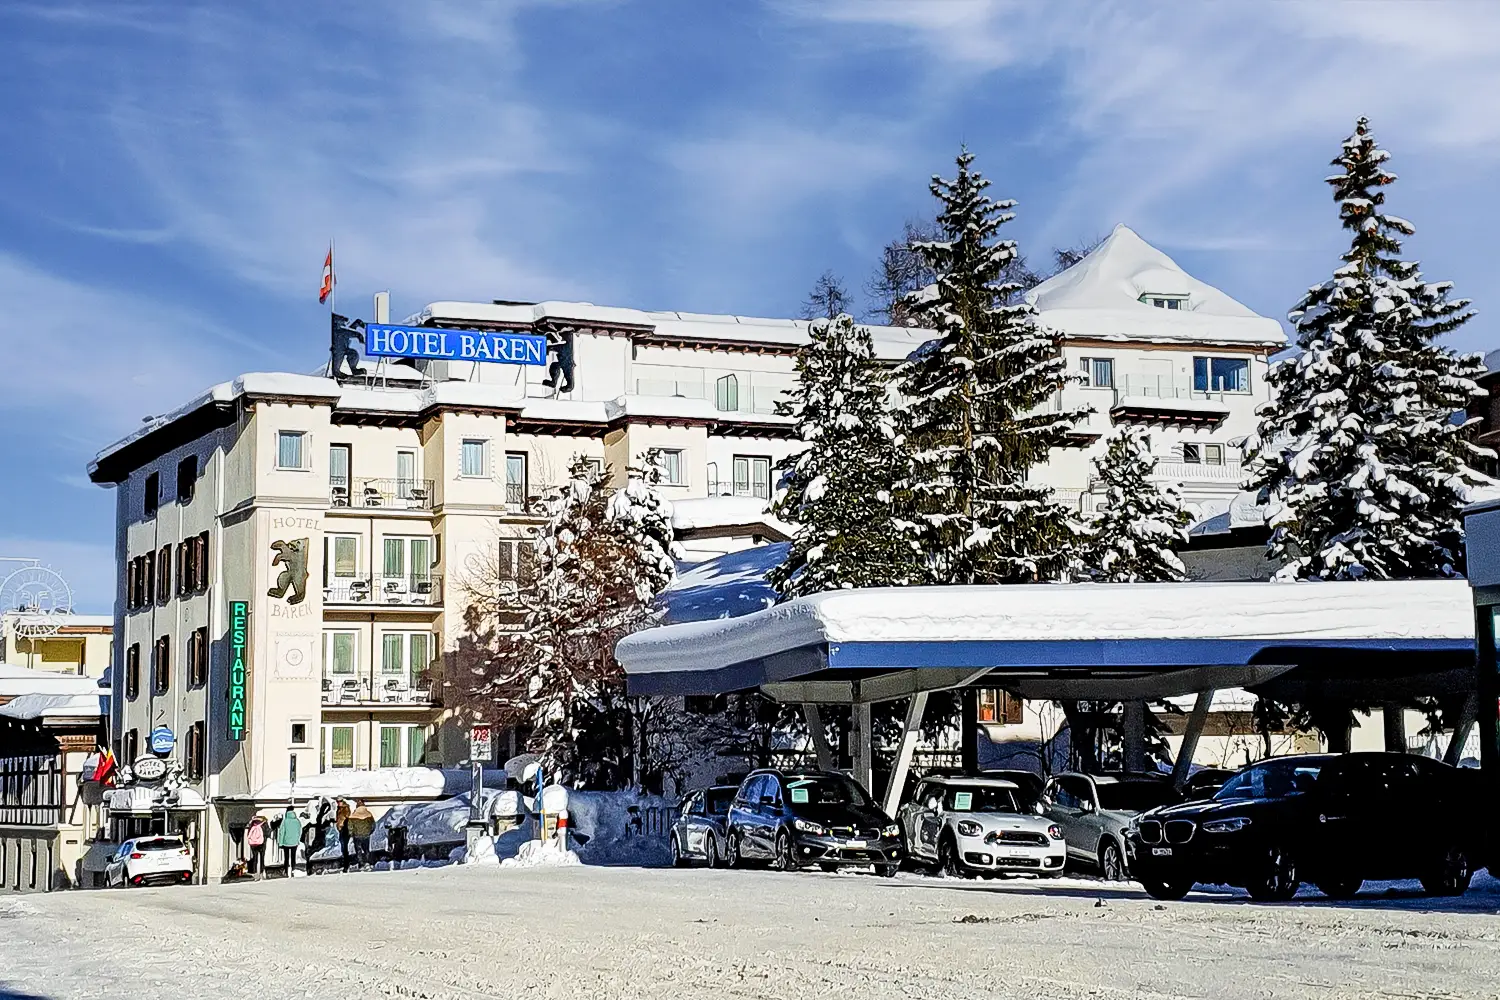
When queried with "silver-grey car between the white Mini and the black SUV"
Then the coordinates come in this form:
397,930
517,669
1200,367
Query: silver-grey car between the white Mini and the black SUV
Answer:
1094,810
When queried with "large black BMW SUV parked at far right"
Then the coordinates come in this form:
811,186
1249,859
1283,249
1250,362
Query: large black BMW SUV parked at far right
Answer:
1328,819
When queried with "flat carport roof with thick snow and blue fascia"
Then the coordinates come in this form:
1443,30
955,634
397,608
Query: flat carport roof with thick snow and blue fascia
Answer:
1084,630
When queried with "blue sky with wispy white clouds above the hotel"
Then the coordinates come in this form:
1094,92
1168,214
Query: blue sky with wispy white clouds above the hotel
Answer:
172,173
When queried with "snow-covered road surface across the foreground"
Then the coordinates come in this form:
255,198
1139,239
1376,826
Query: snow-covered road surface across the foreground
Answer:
583,933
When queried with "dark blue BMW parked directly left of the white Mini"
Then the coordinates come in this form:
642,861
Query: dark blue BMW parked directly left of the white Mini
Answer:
809,818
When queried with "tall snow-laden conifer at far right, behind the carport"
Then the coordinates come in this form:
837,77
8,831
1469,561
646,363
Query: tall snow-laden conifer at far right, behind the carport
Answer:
1360,455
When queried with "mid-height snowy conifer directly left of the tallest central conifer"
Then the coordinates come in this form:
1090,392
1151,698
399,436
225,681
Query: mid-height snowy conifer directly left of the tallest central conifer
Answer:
839,487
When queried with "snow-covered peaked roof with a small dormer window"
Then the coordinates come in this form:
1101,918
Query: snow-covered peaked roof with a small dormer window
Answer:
1100,298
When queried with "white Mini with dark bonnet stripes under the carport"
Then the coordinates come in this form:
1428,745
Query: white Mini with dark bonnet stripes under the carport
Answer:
967,825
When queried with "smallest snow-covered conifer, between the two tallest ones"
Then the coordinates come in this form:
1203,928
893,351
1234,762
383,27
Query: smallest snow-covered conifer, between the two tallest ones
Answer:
1141,525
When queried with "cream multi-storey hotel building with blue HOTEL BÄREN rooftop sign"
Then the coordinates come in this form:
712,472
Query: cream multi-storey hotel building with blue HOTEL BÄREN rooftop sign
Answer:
293,549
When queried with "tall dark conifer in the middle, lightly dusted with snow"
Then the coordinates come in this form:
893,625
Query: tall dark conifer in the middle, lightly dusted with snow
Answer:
974,410
